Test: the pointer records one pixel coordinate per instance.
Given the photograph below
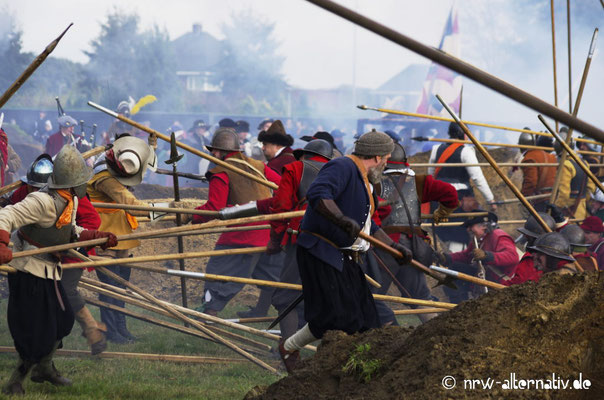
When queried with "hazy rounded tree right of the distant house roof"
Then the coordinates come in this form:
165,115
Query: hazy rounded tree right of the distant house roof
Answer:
251,73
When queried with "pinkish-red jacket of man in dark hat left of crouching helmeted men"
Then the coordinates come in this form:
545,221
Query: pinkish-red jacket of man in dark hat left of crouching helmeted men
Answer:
501,245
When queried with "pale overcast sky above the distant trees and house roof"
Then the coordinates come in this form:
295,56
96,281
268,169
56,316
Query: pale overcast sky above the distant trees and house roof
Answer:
318,46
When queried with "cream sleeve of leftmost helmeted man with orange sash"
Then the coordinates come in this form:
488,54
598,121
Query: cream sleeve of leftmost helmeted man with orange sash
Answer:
36,208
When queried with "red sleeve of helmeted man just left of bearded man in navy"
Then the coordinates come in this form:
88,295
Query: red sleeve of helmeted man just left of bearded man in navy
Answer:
286,197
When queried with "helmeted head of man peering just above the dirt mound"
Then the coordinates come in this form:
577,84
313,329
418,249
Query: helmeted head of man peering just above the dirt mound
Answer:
552,253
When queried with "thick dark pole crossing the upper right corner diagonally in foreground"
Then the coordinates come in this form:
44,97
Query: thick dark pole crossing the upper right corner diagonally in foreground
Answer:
464,69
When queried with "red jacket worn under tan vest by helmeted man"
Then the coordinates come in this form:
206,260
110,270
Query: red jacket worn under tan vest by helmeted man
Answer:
217,200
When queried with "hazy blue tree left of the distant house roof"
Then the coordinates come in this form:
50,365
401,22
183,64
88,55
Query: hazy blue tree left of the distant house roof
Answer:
126,62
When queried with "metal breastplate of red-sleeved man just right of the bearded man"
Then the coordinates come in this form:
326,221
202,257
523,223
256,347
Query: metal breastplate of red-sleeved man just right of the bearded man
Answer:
398,215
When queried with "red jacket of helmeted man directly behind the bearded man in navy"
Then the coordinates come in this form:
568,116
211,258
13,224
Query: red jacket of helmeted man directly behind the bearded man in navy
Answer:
286,199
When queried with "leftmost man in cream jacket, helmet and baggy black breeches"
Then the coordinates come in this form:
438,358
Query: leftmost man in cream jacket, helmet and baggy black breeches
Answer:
38,317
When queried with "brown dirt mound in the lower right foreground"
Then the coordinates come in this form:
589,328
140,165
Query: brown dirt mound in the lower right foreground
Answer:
530,330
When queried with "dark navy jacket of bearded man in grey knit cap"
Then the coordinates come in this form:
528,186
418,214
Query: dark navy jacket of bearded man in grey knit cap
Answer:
339,180
